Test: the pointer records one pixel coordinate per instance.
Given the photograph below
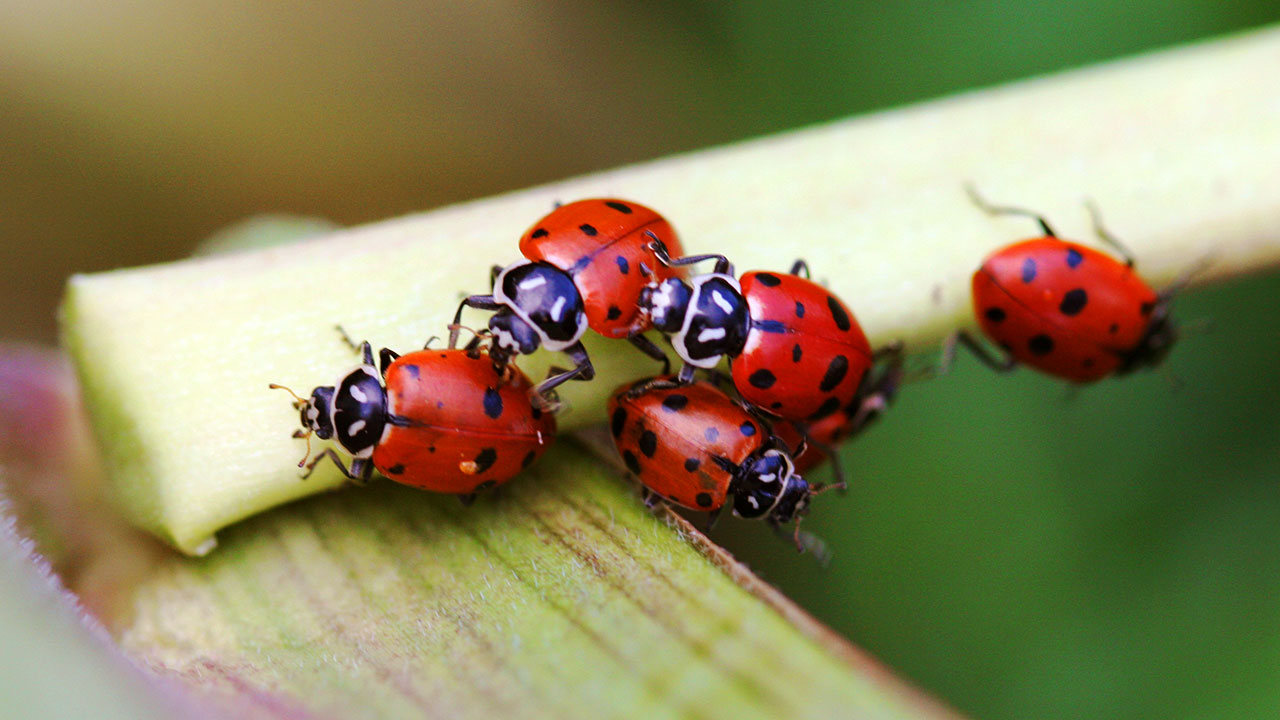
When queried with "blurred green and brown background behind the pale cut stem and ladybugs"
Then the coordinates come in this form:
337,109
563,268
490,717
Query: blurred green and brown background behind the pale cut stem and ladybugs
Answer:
1020,552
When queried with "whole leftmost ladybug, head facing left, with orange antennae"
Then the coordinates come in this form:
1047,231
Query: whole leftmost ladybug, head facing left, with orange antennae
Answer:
445,421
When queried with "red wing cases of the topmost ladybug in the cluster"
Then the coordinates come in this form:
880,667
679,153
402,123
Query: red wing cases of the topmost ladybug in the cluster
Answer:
601,244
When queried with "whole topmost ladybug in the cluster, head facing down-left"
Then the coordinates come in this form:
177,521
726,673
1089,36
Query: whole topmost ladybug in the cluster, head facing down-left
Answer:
586,267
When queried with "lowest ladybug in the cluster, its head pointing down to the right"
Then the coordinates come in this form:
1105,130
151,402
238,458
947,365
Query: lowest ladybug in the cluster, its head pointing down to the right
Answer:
696,448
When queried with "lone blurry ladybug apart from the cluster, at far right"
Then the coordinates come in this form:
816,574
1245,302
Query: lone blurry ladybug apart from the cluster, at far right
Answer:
1067,309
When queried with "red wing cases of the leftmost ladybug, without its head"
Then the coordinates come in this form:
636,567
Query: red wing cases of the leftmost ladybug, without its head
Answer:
468,426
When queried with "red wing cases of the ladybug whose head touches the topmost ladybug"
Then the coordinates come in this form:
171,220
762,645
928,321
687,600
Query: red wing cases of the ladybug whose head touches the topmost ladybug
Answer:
806,354
